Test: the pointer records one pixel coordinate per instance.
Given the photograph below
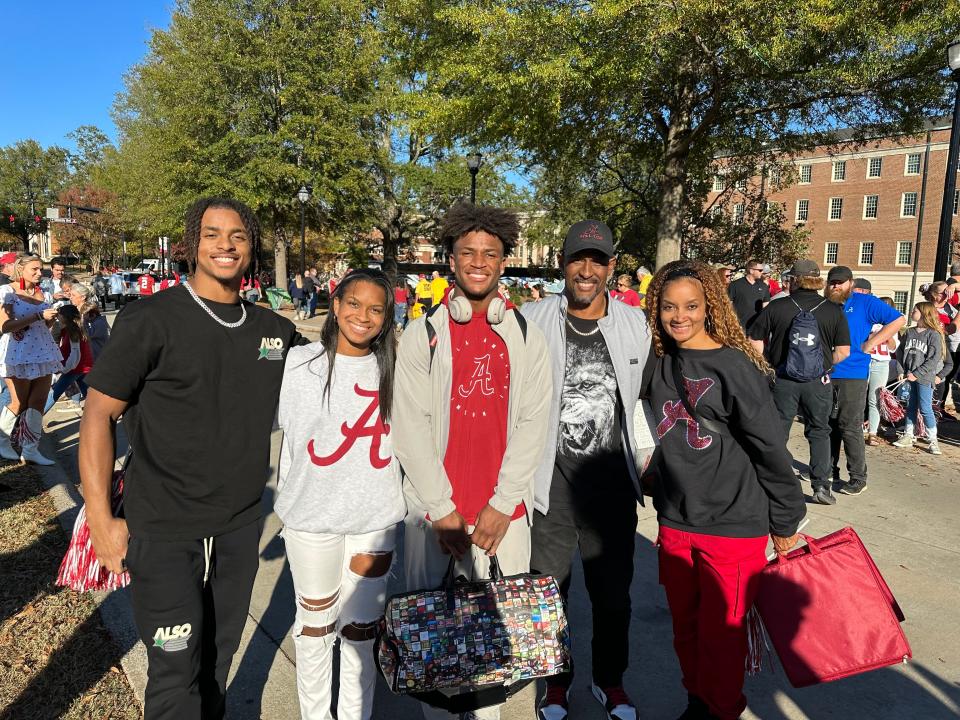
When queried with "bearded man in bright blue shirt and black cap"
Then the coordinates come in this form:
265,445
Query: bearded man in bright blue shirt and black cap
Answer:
851,377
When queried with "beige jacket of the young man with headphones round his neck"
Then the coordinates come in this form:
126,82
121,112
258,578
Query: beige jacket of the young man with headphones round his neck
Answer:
421,413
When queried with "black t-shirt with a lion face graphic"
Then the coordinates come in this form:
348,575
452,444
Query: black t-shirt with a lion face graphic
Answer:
589,445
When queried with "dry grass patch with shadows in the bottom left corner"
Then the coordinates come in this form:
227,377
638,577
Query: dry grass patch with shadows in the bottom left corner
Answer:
56,658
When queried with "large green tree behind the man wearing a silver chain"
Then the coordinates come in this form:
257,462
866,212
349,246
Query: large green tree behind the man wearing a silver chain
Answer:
251,99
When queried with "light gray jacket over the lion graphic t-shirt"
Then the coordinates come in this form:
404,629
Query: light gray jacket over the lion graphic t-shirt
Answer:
624,330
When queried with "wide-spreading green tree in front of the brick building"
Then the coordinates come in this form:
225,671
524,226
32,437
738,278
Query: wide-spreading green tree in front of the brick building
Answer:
612,86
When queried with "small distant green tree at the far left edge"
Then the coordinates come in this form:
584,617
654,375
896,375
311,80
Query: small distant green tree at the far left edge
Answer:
31,177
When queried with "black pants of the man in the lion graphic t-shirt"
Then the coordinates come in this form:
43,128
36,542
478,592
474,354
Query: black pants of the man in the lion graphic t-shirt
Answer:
602,521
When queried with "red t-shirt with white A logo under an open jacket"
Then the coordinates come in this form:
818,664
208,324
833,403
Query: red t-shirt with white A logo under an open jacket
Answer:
477,438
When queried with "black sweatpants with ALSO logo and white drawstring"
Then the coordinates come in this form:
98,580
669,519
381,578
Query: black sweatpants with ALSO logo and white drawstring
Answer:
191,629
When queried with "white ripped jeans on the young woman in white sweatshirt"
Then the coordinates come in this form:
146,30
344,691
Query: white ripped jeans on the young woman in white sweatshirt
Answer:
334,601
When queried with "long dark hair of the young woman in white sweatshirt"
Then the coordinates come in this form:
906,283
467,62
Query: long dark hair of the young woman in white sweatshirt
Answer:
384,345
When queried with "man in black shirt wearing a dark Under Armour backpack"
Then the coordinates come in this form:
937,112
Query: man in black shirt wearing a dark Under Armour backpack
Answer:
803,336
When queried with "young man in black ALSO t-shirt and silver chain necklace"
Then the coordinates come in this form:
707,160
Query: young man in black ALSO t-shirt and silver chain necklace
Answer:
195,372
